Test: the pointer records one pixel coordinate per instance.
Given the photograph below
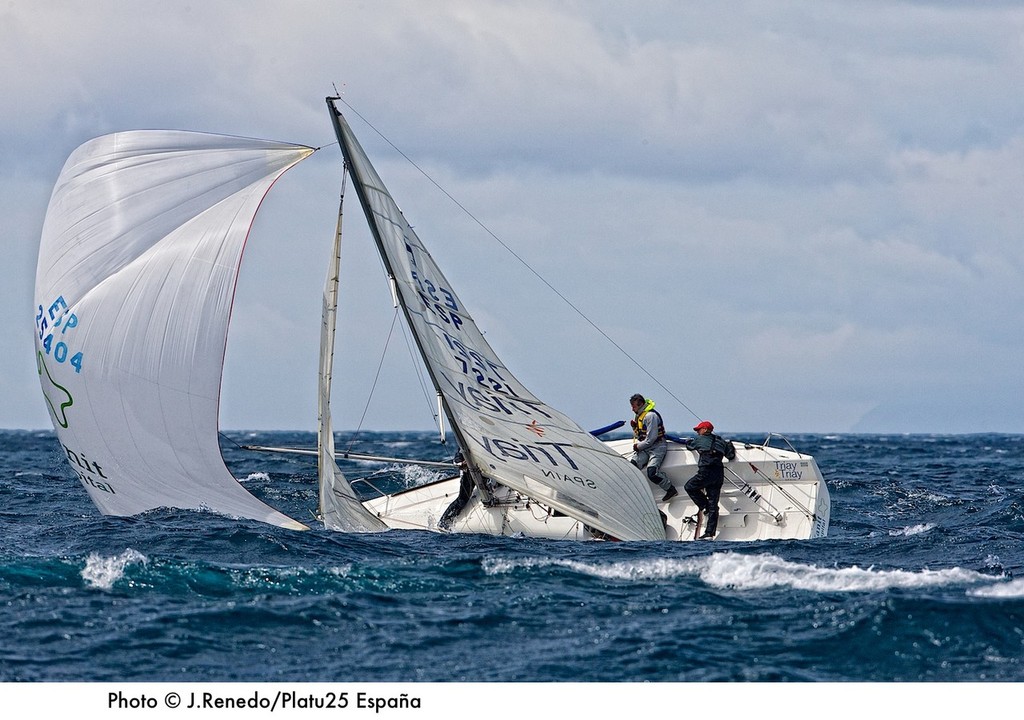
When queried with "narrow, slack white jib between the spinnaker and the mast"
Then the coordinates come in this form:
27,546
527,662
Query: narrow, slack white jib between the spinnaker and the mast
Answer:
340,507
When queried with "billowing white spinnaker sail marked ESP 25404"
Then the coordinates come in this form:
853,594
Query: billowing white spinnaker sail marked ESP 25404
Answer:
138,267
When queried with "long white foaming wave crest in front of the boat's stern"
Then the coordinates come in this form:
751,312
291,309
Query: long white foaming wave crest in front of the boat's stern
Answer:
754,573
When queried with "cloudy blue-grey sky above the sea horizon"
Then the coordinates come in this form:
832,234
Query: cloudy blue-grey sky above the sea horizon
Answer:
781,217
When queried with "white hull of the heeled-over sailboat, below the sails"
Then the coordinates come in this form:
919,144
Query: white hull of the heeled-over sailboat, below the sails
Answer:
770,494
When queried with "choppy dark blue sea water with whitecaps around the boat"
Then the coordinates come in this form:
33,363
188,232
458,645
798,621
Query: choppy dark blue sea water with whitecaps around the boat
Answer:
921,579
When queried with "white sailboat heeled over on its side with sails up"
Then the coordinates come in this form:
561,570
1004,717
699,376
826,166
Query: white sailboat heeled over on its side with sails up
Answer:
139,260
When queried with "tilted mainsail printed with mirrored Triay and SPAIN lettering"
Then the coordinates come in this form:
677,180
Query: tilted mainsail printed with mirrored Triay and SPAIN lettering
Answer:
509,435
